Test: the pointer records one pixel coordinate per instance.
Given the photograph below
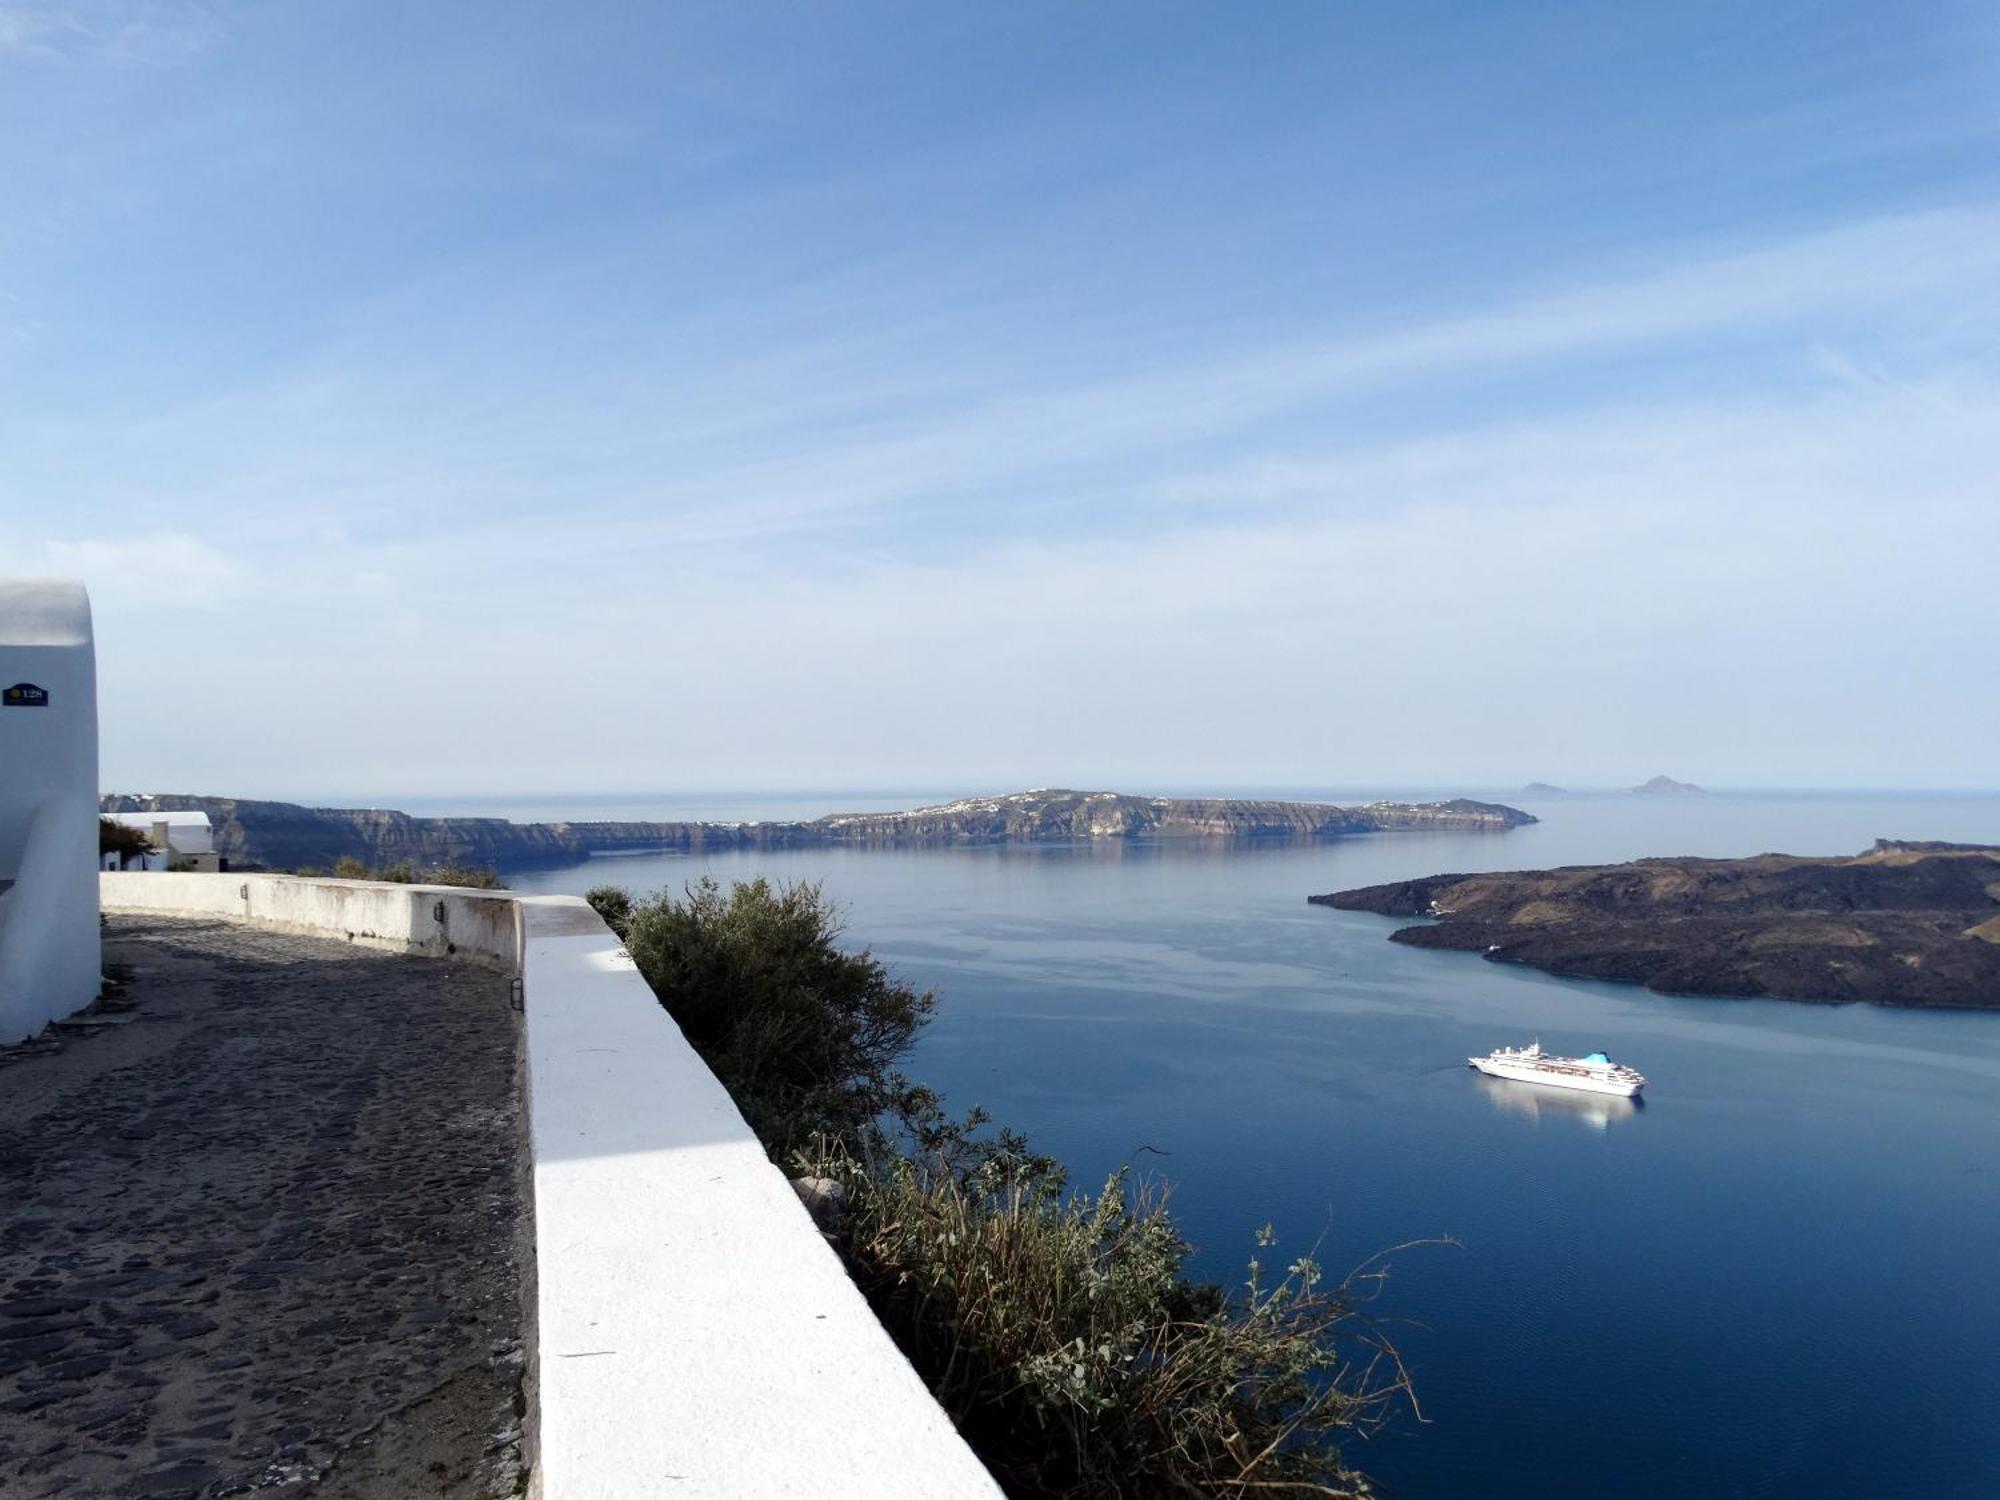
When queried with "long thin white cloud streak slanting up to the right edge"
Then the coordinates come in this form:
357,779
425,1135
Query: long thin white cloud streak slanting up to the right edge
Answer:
1929,277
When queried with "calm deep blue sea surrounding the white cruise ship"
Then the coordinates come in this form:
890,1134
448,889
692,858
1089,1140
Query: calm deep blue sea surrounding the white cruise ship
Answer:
1777,1277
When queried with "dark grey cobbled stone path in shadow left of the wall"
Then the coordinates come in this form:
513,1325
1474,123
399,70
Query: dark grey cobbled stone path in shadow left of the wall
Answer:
261,1235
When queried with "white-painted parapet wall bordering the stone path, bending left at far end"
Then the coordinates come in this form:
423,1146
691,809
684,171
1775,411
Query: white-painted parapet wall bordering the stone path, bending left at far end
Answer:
693,1333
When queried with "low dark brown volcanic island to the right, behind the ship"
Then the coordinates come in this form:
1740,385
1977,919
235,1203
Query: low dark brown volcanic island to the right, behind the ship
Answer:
1903,925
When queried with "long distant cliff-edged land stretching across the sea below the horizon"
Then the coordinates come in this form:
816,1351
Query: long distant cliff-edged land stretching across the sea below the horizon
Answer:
285,835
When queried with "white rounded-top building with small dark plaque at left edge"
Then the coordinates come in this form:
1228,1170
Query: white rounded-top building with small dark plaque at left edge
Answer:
49,805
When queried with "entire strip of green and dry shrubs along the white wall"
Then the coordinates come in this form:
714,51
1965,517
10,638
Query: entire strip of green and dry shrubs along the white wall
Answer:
1057,1329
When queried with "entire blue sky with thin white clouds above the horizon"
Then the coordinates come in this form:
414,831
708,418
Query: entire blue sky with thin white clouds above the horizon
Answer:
499,397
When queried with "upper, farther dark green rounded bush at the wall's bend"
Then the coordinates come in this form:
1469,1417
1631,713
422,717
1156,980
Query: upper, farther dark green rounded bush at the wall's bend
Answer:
801,1033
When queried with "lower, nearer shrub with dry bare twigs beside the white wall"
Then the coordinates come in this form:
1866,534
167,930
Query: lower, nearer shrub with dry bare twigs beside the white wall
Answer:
1077,1359
